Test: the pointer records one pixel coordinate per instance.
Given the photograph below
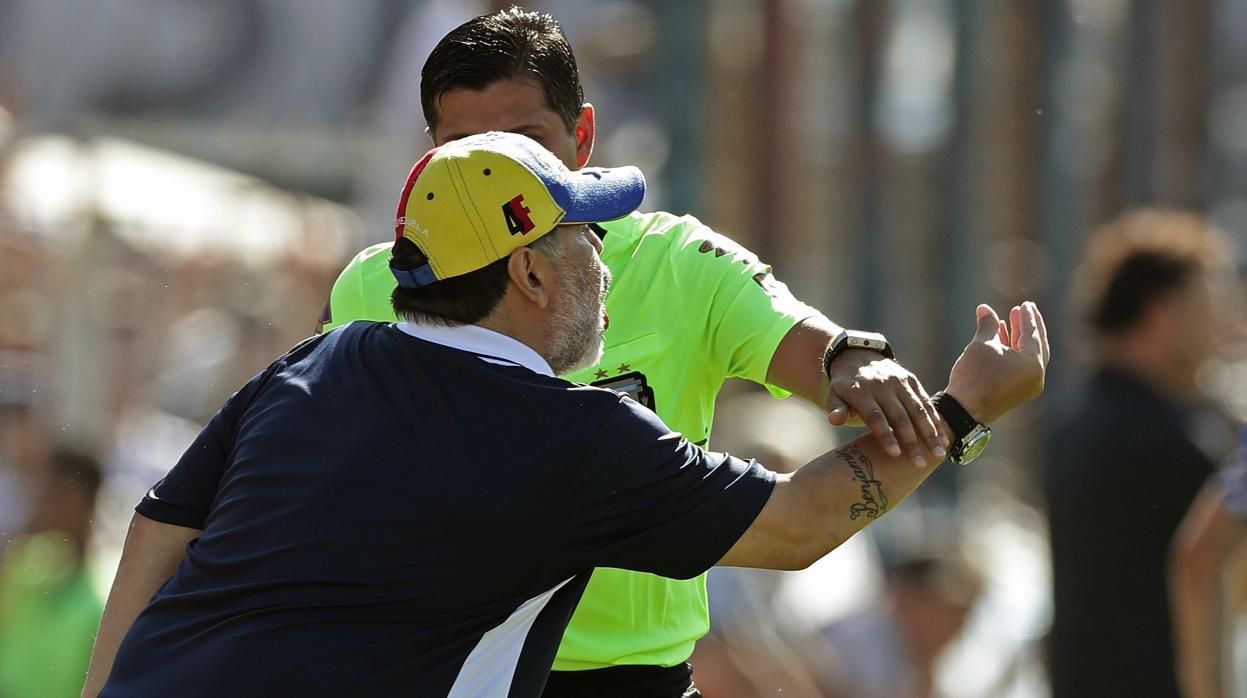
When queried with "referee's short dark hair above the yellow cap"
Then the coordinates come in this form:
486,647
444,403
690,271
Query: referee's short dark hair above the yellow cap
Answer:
504,45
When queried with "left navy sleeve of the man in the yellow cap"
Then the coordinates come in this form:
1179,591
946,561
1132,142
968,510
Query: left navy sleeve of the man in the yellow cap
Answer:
185,495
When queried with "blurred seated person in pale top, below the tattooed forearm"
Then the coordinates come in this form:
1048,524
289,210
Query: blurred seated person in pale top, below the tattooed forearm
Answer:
891,650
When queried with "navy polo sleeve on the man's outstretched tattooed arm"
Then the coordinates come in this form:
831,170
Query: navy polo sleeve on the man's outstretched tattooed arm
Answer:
647,499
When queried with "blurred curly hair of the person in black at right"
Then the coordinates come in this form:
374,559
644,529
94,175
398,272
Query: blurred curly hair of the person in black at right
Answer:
1139,259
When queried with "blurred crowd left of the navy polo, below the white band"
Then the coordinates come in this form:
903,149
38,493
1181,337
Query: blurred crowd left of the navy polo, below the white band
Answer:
112,357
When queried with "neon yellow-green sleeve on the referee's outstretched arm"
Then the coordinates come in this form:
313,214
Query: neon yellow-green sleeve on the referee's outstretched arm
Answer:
749,312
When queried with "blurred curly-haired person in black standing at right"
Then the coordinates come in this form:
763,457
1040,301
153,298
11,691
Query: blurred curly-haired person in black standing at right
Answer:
1130,457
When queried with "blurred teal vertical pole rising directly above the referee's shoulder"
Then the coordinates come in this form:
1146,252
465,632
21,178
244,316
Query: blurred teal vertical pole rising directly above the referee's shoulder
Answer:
680,78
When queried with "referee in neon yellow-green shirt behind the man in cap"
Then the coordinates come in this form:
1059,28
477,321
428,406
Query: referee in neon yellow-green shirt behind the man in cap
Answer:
689,308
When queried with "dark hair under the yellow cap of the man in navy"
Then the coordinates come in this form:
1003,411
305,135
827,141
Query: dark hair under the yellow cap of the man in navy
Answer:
458,301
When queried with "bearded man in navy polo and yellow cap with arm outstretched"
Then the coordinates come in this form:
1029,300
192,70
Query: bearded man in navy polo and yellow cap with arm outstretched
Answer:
416,508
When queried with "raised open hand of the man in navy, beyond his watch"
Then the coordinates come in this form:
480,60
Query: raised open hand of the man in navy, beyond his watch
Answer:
1004,366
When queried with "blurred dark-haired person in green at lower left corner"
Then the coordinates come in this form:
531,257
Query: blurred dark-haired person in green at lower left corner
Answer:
49,609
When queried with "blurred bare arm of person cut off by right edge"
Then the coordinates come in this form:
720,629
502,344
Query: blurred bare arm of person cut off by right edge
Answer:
1214,537
